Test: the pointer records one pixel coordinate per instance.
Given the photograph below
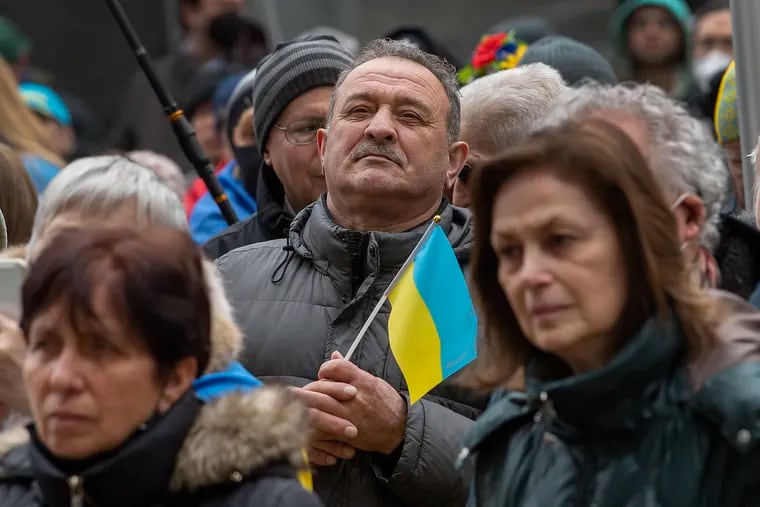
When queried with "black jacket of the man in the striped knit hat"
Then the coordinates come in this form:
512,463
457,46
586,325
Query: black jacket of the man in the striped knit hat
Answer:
271,221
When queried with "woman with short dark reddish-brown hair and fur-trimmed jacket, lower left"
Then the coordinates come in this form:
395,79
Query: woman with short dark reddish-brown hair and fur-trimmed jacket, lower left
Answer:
118,328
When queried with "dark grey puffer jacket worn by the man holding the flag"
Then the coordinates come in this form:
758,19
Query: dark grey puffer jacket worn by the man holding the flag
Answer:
300,299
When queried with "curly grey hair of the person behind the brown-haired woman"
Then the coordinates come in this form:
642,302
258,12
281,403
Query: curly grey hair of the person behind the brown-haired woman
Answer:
682,153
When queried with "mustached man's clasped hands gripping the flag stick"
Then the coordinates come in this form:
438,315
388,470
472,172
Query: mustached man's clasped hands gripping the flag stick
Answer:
350,406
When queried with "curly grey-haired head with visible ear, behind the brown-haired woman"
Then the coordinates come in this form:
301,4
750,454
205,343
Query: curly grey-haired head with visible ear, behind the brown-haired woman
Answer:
684,157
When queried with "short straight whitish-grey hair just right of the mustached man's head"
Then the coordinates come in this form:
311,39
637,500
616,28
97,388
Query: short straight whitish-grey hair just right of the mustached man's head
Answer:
501,109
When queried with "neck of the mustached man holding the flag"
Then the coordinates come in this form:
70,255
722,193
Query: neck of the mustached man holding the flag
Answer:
382,218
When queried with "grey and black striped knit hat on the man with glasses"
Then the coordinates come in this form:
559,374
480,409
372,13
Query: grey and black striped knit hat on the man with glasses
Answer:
293,68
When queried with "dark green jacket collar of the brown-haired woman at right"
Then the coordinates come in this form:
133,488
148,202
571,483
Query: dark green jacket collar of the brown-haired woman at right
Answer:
623,392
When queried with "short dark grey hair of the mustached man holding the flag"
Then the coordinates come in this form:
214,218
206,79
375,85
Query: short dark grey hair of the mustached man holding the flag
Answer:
440,68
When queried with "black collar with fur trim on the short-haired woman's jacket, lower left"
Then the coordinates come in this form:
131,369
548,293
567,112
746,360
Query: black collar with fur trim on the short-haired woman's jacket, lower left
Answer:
191,447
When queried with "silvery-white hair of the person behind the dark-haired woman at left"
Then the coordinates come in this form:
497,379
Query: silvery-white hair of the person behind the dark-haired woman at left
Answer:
96,186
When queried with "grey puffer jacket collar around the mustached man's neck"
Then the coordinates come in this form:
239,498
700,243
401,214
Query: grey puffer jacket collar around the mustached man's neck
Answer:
340,252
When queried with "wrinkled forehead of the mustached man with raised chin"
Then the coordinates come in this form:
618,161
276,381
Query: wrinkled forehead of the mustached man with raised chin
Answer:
397,76
